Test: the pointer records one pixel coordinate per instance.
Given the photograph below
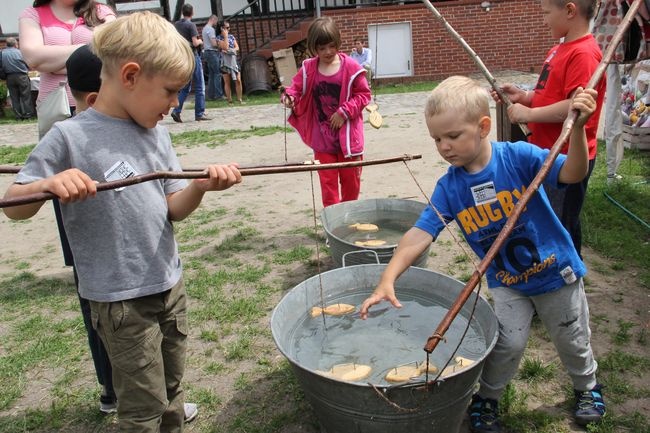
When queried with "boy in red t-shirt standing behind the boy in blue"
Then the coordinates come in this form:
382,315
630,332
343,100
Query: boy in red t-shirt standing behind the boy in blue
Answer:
568,65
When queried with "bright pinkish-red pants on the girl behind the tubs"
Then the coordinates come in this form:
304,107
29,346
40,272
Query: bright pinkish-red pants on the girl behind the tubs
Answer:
349,179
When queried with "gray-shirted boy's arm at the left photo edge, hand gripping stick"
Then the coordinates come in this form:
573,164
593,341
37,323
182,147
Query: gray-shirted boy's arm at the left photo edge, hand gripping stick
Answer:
70,185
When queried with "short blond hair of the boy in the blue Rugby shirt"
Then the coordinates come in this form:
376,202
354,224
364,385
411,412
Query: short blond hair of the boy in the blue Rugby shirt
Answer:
460,94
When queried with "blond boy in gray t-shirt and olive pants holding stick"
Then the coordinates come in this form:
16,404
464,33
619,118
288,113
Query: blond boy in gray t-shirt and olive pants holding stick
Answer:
130,270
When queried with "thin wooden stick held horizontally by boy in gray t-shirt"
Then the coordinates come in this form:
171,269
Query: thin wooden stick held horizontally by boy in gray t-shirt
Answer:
34,198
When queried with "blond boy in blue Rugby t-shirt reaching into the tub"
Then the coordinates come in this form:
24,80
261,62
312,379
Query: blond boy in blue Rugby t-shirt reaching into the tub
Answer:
537,269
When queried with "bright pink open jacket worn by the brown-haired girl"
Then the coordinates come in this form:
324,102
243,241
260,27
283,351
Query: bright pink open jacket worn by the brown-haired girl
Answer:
355,95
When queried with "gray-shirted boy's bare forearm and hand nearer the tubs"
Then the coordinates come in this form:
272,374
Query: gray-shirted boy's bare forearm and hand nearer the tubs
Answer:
183,202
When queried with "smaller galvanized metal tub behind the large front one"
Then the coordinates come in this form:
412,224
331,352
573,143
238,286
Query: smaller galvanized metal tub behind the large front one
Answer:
368,211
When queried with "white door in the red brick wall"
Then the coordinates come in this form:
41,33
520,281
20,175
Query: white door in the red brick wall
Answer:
391,45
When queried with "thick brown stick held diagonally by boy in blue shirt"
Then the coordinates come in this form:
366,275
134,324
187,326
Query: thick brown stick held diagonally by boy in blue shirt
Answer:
434,339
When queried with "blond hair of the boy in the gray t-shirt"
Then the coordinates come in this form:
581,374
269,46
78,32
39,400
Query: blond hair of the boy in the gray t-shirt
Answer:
146,39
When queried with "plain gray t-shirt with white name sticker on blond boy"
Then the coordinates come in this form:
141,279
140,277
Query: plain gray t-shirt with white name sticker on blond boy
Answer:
122,240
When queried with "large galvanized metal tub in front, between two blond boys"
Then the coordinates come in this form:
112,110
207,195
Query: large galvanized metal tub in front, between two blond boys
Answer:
347,407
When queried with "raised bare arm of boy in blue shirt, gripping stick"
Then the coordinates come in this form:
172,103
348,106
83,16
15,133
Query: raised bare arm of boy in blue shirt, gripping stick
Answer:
576,166
